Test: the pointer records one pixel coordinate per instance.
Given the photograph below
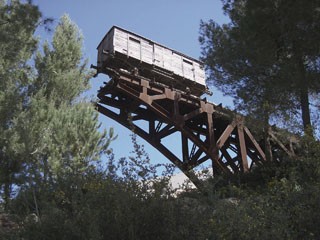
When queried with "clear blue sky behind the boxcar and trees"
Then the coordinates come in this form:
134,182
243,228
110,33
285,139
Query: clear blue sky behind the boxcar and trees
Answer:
173,23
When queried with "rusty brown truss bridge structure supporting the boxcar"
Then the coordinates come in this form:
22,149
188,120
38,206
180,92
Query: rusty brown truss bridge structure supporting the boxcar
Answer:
207,132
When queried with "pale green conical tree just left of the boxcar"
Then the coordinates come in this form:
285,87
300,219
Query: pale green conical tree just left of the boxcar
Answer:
59,130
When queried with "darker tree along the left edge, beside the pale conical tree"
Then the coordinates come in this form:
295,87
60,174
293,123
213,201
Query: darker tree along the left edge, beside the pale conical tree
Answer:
18,22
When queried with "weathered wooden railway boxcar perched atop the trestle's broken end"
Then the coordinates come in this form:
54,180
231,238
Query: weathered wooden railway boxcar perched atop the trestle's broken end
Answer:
122,49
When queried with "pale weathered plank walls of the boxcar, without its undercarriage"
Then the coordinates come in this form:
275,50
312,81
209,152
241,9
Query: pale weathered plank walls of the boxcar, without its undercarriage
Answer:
121,42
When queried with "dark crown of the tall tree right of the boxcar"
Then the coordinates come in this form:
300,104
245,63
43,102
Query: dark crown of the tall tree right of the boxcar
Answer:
267,57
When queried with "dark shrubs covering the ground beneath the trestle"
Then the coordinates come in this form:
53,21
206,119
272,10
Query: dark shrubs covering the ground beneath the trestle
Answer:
276,200
